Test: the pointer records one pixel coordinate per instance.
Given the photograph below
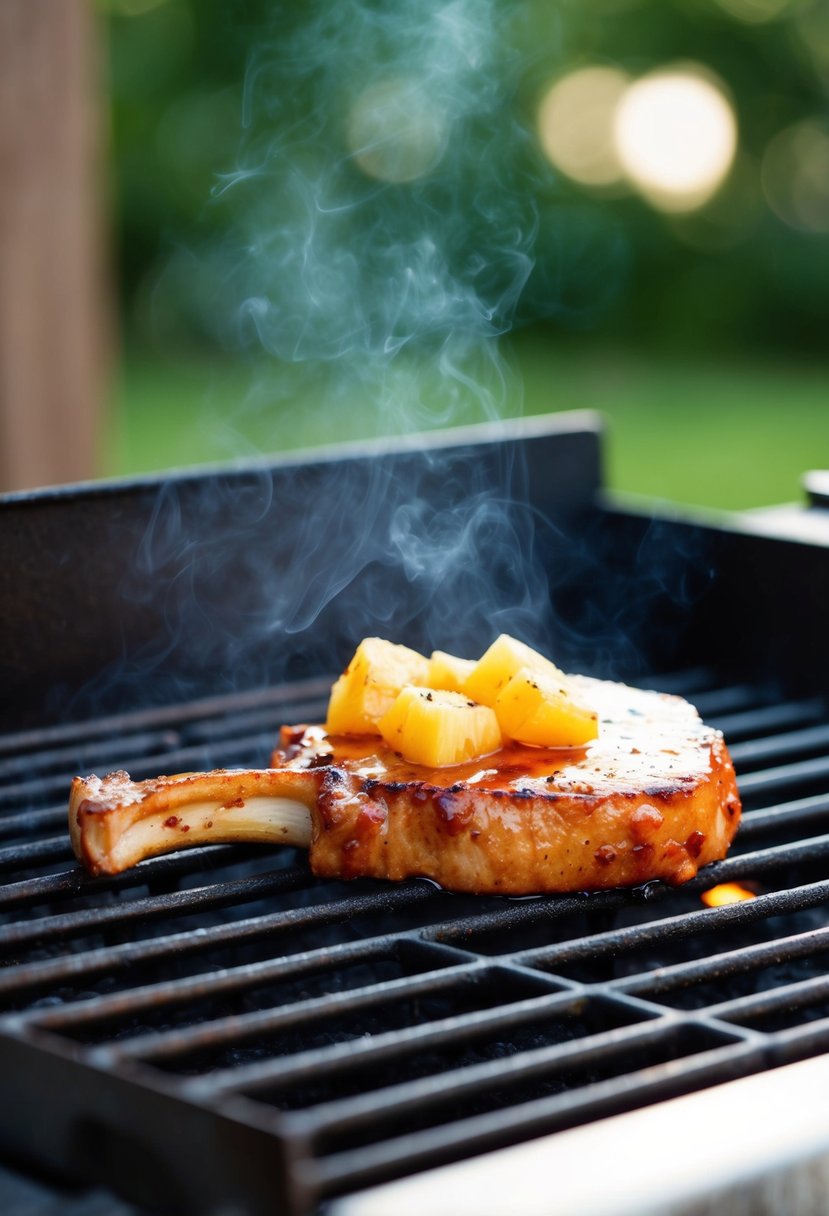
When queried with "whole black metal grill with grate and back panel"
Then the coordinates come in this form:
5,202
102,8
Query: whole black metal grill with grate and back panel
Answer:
217,1031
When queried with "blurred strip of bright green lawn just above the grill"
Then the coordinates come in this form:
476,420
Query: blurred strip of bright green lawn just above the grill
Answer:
726,435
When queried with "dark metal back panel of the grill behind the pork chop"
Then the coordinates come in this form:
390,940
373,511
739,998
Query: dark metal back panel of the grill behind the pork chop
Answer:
121,595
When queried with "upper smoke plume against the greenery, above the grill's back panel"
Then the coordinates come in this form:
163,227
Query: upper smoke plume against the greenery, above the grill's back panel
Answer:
384,216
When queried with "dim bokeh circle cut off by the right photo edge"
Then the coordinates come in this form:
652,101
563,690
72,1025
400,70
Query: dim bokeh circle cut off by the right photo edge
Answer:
796,177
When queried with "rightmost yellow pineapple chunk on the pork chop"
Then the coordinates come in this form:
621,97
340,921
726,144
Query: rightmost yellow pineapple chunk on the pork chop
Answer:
532,708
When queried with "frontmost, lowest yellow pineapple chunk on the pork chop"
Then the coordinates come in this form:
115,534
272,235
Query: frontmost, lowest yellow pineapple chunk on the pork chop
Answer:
436,728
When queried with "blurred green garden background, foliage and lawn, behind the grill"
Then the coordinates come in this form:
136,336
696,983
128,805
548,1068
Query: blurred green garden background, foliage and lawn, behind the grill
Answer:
240,159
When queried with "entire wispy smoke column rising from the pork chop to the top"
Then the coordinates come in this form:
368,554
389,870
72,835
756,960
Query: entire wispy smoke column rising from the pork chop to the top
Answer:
386,216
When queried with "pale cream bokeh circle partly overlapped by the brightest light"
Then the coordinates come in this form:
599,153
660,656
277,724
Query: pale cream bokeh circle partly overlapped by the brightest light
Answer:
577,125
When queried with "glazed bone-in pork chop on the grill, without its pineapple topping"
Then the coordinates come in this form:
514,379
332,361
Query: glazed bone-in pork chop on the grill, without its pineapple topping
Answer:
655,796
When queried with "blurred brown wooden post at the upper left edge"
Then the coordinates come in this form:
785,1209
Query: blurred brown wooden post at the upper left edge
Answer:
52,284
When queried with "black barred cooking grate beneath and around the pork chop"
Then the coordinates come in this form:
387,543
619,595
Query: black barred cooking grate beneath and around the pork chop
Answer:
324,1037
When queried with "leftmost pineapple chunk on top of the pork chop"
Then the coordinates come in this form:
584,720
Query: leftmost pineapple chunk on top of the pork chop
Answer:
370,684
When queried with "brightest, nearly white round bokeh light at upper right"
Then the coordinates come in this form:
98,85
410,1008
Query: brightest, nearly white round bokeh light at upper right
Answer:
676,138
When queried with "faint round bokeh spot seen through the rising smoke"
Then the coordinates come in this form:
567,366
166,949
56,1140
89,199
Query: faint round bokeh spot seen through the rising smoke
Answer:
396,132
